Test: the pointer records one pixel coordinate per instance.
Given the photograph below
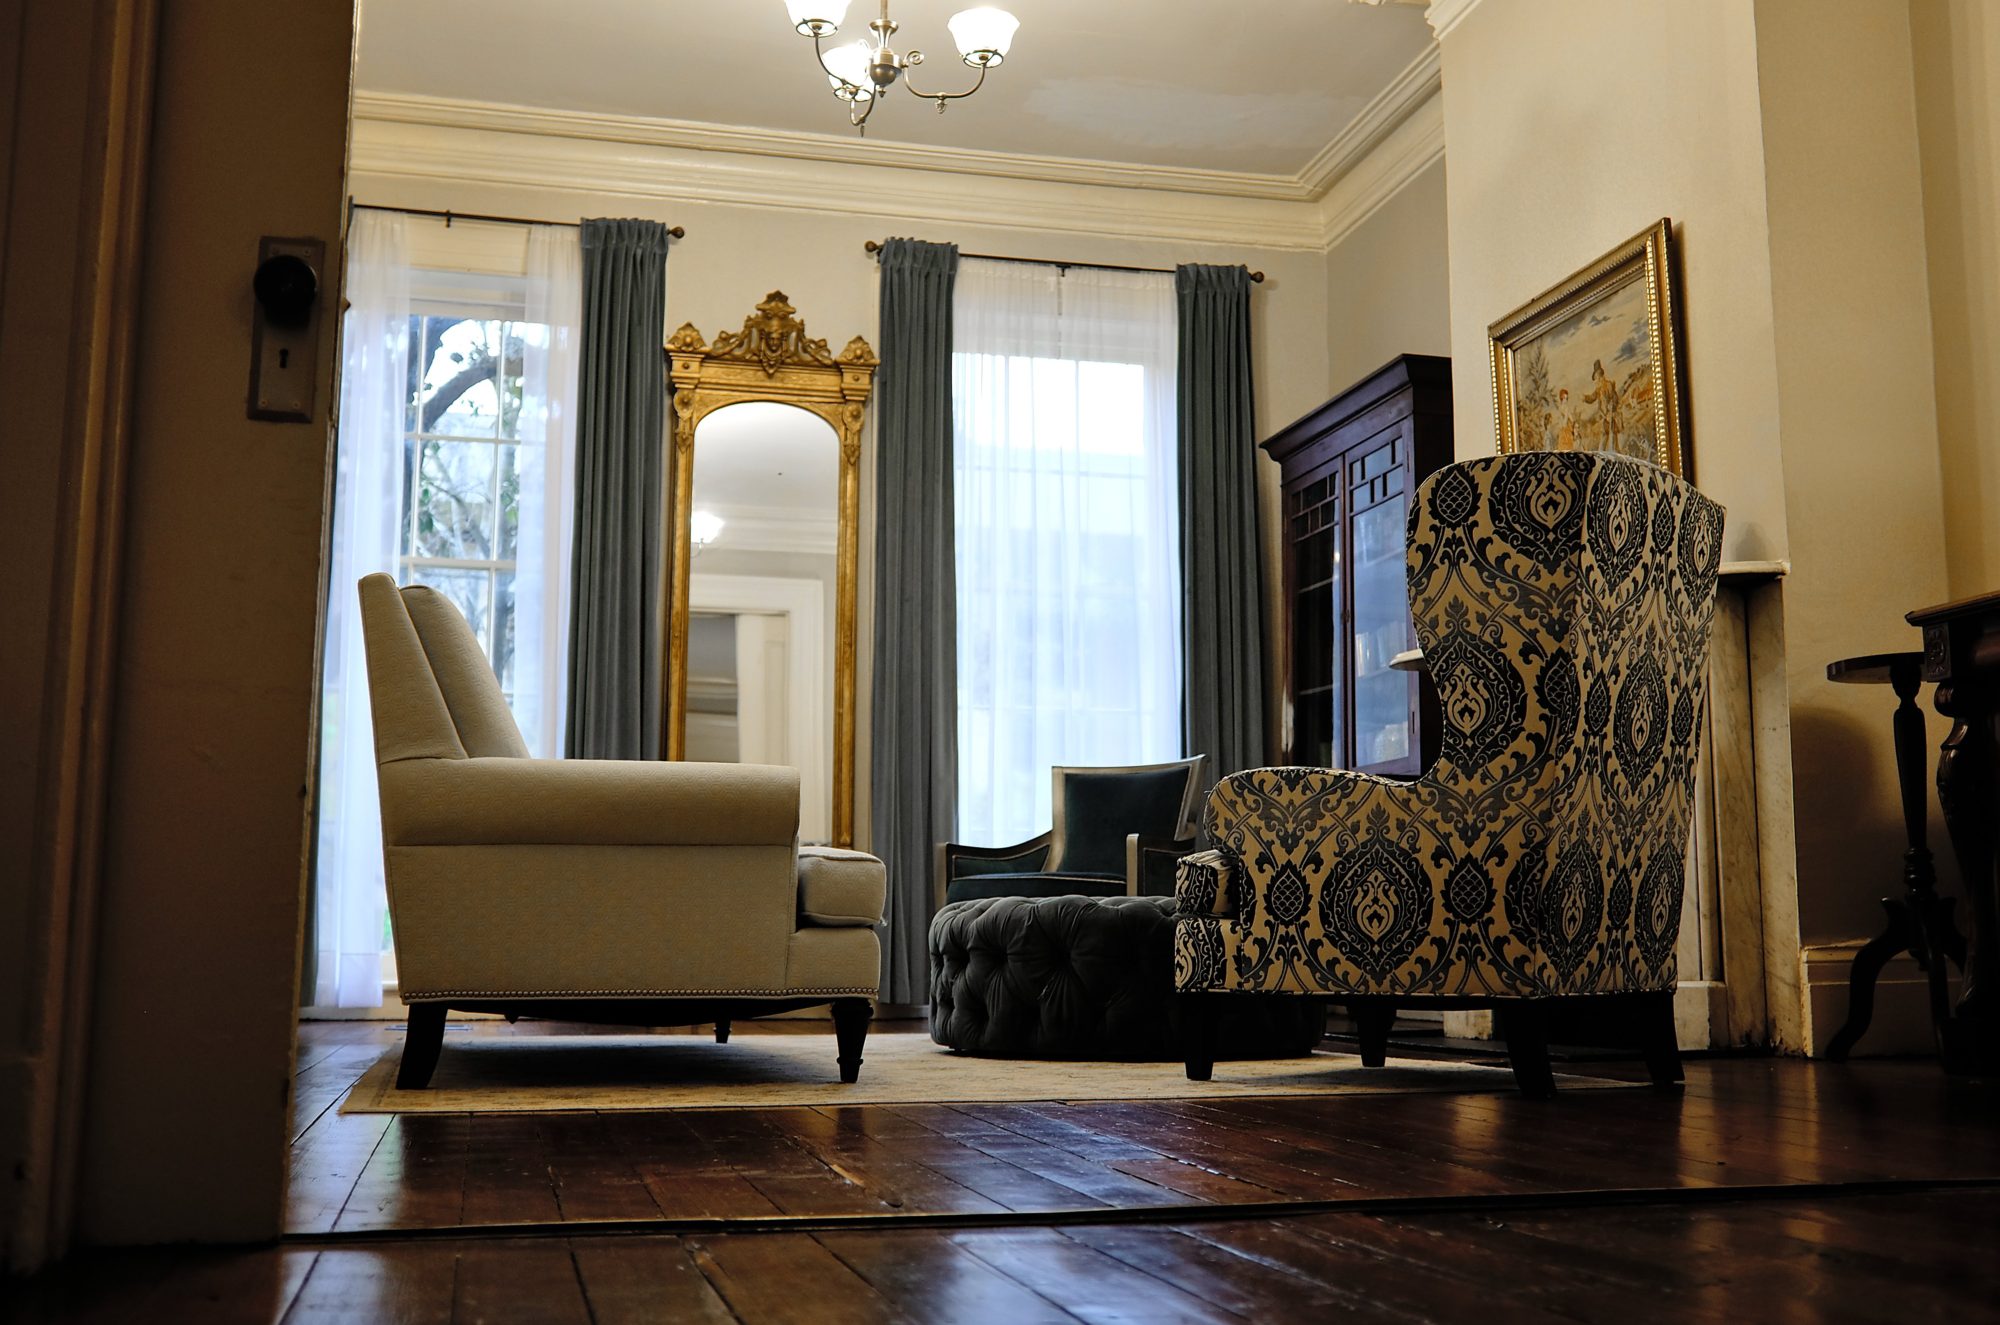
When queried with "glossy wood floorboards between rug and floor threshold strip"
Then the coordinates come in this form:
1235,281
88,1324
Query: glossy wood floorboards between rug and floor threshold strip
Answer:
1741,1122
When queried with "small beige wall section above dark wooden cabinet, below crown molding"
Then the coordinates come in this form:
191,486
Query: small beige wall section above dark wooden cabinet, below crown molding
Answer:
1389,285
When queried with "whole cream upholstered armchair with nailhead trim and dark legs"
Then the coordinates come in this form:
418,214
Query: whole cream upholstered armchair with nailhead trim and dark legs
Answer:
621,892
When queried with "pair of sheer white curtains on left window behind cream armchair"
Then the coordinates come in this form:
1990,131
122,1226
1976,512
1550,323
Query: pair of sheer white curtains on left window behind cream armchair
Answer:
379,399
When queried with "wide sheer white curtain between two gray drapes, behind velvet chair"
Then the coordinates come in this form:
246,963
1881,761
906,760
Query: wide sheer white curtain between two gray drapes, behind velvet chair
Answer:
1069,533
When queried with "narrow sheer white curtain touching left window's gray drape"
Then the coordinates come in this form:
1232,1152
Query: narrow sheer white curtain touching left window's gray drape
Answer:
547,465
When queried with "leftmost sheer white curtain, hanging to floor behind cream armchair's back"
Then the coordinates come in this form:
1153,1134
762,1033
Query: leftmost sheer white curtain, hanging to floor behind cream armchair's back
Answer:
369,479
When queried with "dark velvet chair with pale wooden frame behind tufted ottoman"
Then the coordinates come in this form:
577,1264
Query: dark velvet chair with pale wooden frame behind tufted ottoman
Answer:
1119,834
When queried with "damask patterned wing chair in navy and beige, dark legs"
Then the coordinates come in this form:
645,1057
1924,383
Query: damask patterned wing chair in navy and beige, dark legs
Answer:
1563,603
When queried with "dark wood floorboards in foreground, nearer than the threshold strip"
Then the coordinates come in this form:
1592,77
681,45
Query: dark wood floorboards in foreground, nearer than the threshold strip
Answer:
1825,1258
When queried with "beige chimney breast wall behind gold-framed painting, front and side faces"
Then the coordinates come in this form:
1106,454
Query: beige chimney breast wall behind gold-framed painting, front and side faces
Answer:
1783,143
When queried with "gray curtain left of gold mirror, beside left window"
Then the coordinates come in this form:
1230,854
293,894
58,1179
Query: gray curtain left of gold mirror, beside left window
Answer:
621,419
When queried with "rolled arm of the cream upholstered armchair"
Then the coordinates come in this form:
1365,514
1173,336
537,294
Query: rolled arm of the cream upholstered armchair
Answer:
587,804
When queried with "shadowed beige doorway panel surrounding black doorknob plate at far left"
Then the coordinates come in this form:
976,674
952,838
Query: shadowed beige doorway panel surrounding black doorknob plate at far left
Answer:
197,966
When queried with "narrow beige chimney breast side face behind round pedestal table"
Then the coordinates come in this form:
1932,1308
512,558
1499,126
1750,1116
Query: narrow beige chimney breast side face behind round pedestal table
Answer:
1857,421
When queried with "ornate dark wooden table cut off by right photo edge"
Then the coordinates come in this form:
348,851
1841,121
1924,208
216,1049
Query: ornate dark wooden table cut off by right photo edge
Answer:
1963,657
